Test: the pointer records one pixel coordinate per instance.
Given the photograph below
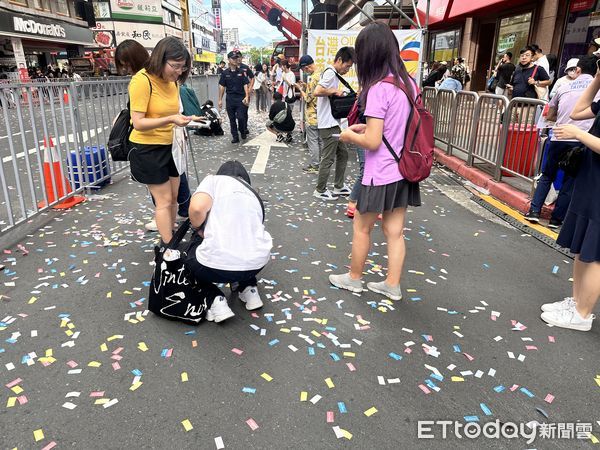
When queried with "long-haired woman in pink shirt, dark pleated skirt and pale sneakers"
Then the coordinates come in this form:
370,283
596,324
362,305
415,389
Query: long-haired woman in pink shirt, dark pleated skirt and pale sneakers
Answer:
383,190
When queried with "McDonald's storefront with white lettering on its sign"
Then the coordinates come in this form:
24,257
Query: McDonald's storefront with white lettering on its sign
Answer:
42,33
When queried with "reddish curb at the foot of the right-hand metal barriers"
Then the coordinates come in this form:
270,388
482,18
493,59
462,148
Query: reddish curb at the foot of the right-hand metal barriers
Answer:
501,191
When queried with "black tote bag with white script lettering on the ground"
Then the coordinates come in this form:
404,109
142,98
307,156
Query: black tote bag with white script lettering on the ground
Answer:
174,292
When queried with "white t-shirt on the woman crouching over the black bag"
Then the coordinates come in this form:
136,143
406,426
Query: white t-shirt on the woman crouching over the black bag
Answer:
234,237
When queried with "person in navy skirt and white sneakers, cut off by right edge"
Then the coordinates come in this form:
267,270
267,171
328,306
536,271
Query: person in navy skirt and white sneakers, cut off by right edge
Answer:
581,229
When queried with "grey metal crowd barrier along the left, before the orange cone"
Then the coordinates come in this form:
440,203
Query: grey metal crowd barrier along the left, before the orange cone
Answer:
53,141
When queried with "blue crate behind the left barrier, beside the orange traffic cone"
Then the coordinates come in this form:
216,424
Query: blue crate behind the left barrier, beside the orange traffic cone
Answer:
97,167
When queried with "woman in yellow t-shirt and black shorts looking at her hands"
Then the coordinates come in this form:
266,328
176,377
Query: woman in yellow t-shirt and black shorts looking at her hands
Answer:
154,104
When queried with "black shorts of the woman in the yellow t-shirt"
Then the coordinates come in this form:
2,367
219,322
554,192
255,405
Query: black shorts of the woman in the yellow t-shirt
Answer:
151,163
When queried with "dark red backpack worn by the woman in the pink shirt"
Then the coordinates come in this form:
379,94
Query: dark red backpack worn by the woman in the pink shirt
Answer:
417,155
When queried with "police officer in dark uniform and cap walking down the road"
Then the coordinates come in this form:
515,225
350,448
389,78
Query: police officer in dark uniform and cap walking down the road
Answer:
237,85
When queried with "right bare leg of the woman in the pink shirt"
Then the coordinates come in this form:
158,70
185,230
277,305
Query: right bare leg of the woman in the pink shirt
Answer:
393,229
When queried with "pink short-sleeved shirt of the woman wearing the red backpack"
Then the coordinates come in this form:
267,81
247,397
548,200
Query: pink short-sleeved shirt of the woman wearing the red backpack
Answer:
386,101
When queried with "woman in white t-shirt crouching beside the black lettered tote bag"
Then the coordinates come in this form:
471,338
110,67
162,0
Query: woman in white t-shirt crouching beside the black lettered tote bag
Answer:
232,245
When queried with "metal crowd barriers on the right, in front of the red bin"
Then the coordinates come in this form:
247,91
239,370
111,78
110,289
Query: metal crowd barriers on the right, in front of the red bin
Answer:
488,130
